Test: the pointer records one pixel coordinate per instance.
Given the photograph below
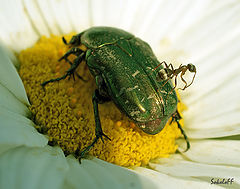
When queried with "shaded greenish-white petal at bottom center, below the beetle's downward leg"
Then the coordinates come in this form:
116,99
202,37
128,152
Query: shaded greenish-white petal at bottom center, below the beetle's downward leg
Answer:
96,173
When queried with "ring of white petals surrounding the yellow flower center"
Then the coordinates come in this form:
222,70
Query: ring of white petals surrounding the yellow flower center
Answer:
205,33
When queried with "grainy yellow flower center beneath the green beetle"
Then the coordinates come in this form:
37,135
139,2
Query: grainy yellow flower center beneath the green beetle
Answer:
64,111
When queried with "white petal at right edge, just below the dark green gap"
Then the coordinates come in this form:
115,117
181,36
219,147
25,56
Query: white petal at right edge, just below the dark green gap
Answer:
226,152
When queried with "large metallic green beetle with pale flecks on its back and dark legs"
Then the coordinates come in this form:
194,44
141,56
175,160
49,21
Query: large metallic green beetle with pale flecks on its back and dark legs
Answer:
124,67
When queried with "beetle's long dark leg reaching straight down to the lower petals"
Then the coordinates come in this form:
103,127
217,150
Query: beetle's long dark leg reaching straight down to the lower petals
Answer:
96,99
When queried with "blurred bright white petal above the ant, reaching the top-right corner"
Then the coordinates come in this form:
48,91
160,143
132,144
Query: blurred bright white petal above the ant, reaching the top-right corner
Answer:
211,30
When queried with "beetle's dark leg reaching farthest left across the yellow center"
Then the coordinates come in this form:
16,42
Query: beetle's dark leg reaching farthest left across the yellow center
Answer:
70,71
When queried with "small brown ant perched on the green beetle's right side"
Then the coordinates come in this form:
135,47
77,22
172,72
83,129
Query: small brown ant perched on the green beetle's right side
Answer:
169,72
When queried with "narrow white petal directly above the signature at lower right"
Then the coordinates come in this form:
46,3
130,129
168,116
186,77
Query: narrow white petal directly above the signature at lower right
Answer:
184,168
